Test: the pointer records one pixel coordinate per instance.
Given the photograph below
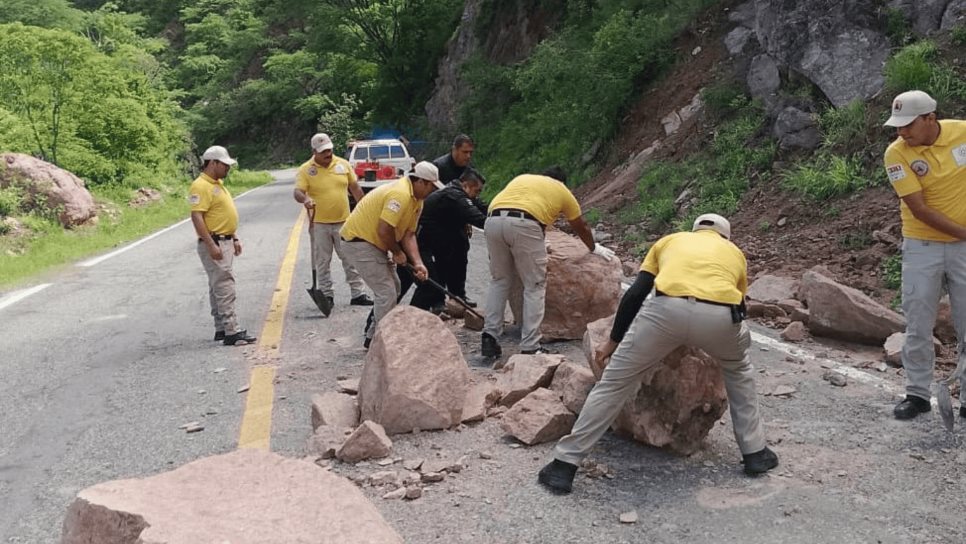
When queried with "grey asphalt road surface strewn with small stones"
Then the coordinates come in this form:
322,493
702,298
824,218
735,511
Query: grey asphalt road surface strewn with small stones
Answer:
102,368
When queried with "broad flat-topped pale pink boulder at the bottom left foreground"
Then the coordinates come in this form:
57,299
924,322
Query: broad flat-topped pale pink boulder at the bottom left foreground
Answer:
244,497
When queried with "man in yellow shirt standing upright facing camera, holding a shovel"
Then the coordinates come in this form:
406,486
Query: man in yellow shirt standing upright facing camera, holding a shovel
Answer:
322,185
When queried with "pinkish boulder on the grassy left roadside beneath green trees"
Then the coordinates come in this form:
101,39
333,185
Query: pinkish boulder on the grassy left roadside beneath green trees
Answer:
49,186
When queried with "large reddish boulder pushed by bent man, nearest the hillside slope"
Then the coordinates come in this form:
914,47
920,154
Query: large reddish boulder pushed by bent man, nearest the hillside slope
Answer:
581,287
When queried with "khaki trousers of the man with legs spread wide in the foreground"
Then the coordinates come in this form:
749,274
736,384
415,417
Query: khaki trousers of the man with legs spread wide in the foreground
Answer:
662,325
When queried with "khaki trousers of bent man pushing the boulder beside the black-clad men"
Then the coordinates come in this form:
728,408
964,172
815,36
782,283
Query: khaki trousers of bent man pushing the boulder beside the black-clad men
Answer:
518,256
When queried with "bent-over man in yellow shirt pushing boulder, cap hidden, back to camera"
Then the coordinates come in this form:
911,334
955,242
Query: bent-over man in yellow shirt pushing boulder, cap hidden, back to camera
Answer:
518,216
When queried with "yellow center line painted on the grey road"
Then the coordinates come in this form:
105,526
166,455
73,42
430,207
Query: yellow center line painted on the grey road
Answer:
256,428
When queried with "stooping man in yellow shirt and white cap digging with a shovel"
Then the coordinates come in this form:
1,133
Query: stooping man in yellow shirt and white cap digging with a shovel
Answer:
381,233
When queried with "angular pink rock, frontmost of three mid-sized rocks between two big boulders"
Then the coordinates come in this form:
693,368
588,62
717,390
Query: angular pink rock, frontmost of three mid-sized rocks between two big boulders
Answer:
539,417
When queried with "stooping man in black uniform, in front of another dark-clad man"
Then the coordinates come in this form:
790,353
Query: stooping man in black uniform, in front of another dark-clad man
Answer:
443,238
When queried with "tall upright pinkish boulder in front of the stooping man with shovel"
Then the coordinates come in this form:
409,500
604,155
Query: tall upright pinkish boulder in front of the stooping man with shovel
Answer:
415,376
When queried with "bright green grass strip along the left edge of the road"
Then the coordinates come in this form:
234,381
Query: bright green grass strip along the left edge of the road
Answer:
47,245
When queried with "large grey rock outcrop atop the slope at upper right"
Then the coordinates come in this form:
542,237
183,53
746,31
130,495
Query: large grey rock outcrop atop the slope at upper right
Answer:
832,43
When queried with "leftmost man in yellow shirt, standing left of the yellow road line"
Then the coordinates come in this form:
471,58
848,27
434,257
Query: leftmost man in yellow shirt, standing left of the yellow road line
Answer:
215,219
